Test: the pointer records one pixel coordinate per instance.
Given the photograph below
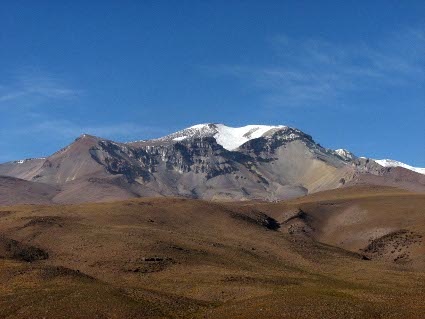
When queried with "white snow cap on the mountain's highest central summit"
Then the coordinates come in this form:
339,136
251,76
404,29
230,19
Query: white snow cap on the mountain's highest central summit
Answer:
228,137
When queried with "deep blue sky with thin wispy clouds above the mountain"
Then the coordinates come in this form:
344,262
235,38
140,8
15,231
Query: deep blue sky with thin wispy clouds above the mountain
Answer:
350,73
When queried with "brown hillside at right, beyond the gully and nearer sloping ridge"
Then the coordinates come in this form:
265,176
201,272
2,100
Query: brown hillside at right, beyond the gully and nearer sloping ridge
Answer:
380,222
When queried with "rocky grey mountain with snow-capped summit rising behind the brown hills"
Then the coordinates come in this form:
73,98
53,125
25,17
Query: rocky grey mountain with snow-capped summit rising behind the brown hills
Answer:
209,161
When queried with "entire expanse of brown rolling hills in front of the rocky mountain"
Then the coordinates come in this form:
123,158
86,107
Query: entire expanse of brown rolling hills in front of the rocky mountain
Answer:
353,253
